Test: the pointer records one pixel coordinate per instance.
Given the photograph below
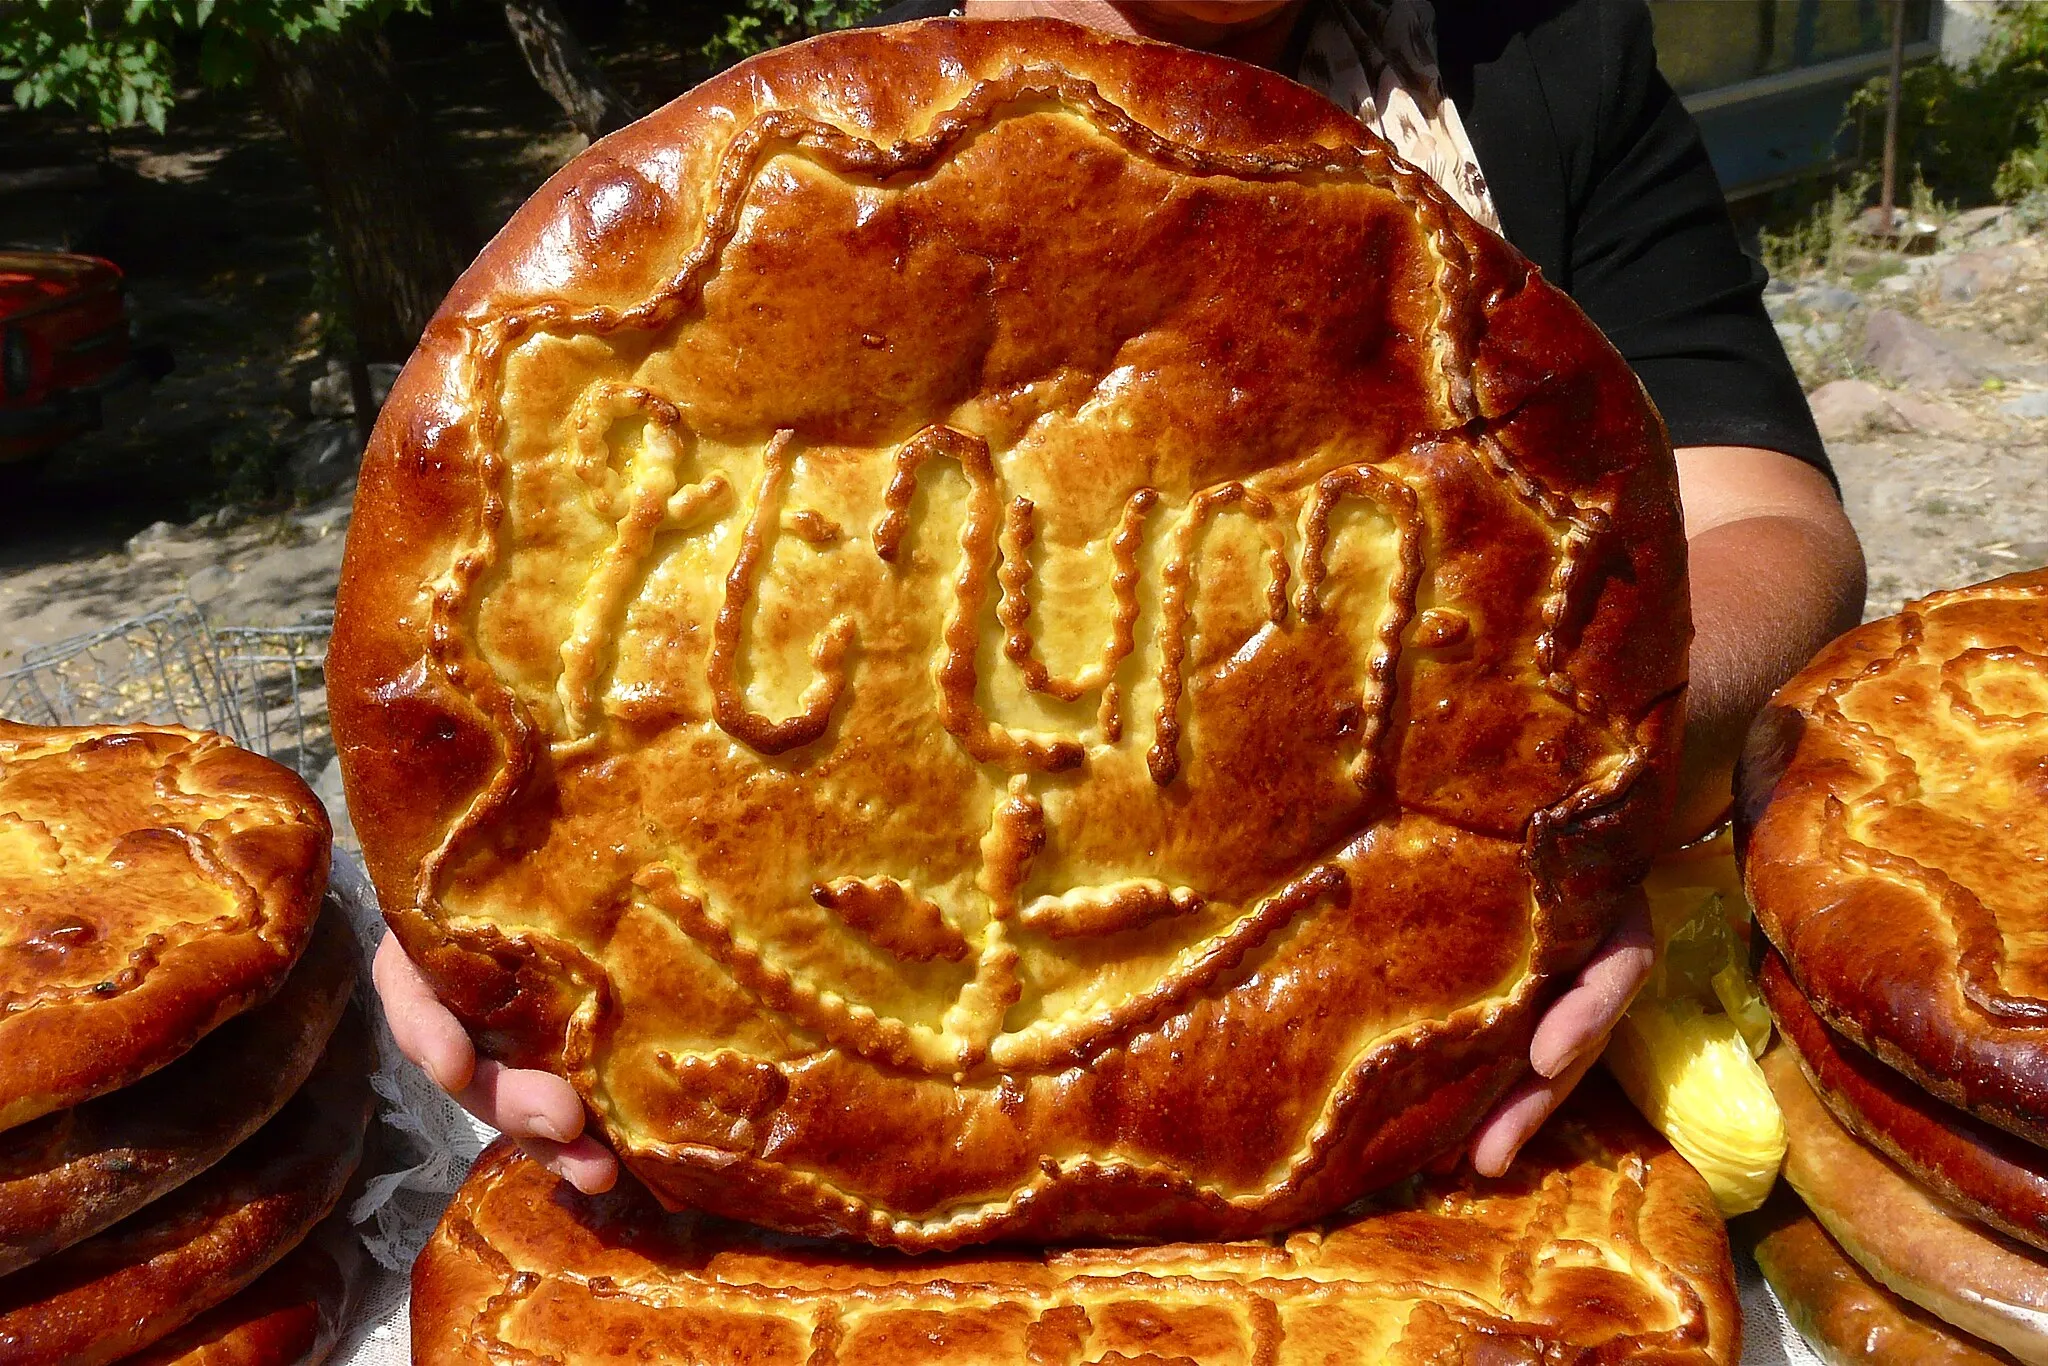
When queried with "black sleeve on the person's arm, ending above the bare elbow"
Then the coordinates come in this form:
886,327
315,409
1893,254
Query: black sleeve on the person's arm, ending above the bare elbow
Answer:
1656,263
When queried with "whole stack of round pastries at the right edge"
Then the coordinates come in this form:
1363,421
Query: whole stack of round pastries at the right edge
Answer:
1895,814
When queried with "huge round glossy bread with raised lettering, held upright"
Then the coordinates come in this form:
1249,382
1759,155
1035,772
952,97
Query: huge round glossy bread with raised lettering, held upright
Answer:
992,632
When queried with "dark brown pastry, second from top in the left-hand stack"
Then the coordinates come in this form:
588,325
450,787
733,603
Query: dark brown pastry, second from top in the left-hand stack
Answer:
75,1172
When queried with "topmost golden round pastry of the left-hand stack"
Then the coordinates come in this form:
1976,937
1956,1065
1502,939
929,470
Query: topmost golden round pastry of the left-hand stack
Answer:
155,882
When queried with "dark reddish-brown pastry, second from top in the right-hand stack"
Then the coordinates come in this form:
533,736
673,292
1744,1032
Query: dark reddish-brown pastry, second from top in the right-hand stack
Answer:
1979,1170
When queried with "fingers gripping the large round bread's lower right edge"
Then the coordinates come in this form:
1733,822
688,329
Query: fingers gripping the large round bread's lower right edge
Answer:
1570,1039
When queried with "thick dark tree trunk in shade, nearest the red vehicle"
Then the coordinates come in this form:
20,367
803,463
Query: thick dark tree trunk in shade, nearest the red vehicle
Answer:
402,230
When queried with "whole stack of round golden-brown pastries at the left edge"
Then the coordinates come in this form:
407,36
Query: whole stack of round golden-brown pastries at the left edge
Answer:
183,1078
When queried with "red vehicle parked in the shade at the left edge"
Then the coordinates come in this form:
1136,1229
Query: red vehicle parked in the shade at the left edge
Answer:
65,349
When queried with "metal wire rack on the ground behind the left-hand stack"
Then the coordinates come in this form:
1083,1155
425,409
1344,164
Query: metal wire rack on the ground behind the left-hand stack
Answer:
265,687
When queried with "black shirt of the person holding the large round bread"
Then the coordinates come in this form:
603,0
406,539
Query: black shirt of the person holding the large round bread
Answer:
1601,179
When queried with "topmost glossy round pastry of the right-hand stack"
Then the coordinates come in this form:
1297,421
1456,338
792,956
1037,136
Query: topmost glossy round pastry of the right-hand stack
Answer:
1895,808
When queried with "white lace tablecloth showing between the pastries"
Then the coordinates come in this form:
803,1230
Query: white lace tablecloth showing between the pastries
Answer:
429,1144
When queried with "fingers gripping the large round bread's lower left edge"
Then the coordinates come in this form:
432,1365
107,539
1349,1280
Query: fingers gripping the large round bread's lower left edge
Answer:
536,1107
